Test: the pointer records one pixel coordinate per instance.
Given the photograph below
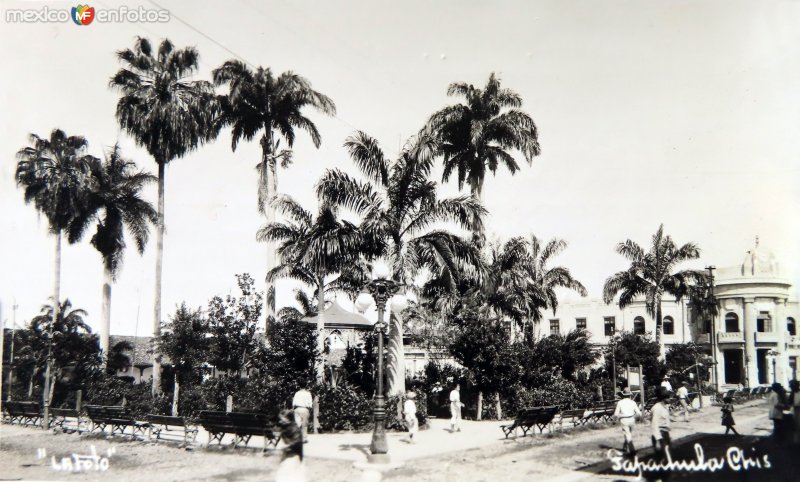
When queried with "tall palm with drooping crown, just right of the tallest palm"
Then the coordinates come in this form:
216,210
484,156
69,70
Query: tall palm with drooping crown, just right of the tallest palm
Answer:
258,101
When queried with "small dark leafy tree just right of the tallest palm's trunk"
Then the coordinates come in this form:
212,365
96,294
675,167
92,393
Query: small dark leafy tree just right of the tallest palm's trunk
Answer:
185,341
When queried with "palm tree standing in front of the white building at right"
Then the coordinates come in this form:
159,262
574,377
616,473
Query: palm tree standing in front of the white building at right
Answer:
651,275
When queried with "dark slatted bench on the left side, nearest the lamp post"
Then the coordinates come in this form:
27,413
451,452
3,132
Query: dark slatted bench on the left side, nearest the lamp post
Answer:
241,425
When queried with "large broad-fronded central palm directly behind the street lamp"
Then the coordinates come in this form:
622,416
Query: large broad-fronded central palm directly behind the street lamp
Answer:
403,220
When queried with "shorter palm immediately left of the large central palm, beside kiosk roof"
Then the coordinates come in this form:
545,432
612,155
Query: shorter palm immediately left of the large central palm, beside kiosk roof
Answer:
311,249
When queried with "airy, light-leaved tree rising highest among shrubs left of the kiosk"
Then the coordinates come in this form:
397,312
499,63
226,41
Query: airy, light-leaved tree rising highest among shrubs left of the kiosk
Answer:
232,325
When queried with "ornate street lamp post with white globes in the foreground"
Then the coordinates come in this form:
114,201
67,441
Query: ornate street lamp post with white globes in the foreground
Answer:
381,289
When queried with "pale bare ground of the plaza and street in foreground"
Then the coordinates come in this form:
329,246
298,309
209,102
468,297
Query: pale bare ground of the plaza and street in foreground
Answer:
478,452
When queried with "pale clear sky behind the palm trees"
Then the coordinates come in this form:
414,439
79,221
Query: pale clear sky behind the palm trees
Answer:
676,112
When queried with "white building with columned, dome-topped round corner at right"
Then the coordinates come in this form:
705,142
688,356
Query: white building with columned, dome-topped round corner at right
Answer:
756,338
